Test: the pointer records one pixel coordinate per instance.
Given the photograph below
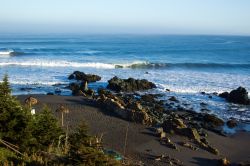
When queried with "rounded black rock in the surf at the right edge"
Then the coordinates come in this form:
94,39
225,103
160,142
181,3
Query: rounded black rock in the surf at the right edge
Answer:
239,96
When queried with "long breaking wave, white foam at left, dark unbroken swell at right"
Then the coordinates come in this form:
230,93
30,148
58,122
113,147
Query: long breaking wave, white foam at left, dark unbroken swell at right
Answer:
133,65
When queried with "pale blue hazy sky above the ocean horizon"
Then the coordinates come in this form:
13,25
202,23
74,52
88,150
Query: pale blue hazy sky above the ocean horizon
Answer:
126,16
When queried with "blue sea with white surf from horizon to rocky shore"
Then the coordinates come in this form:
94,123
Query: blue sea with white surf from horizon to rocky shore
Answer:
187,65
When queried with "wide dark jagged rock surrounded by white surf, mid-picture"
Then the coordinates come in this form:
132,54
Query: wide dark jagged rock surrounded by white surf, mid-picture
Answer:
129,85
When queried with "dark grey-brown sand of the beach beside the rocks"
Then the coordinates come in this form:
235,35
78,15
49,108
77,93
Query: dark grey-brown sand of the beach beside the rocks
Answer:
141,143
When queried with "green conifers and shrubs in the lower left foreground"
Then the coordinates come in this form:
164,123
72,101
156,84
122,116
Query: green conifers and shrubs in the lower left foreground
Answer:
27,139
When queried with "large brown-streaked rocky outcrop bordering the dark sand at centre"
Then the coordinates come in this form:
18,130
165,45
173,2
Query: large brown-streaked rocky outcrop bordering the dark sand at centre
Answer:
143,109
